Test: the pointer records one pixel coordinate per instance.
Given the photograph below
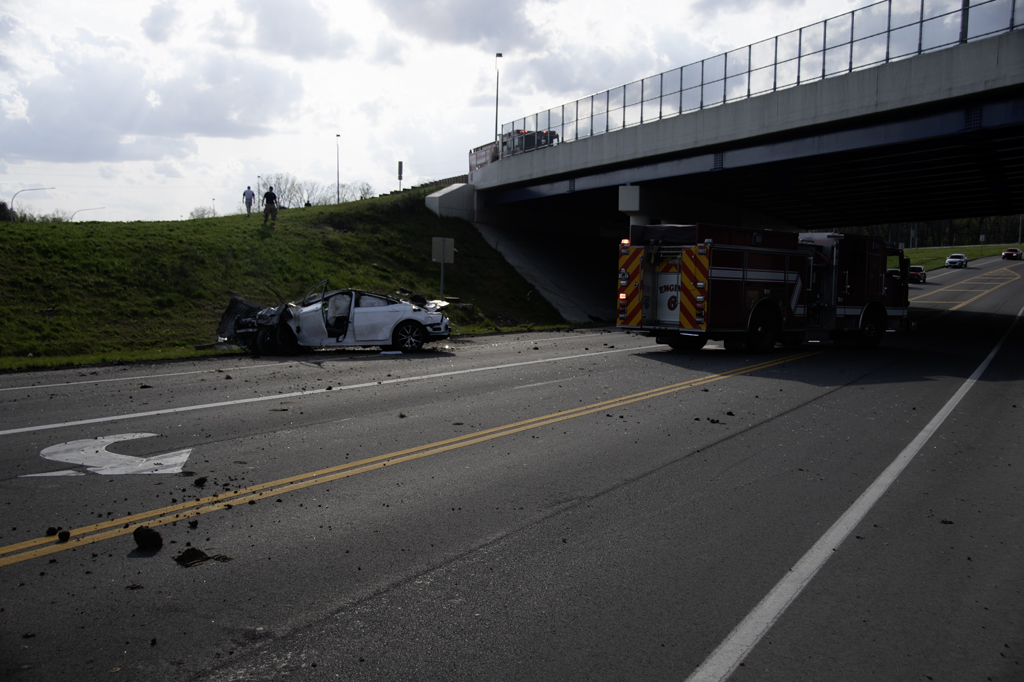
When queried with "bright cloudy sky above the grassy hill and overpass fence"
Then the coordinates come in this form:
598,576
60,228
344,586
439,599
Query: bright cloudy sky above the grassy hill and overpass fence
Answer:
153,109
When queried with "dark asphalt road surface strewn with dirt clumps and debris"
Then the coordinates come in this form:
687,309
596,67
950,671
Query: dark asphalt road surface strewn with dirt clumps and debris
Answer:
580,505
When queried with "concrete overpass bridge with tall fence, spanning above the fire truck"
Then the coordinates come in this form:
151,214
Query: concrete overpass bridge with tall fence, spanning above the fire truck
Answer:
904,111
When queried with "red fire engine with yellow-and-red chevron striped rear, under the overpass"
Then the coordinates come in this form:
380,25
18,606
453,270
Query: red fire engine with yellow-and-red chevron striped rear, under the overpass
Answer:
753,288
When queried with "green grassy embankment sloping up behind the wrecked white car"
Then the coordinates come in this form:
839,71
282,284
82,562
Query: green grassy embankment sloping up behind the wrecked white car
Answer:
95,292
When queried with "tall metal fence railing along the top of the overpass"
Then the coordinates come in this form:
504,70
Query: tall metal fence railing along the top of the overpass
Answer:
880,33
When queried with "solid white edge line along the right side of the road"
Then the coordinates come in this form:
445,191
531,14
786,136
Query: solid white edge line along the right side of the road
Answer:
724,661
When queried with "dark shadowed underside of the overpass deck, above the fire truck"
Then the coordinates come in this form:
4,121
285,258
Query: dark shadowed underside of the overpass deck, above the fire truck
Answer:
971,176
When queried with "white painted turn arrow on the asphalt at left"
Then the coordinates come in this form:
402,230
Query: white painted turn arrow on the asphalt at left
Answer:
92,453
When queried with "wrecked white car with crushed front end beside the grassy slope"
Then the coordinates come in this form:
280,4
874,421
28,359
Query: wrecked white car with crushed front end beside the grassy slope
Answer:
334,320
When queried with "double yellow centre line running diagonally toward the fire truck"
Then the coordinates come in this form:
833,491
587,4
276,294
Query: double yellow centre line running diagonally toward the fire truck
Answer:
125,526
